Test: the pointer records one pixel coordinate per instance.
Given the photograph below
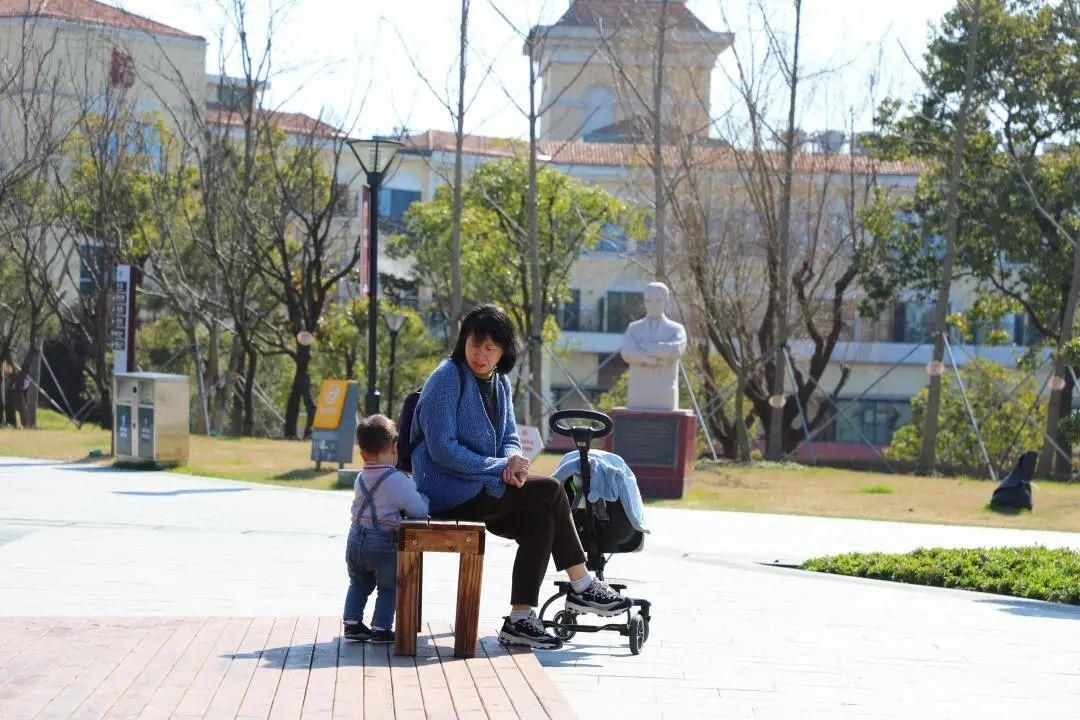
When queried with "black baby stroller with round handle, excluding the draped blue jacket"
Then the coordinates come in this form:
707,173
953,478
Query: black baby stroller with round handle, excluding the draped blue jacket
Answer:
604,528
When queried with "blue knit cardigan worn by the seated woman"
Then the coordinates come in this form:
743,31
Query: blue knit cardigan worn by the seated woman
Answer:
462,454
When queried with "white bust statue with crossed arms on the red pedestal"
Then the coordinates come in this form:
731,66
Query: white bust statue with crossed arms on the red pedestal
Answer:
652,347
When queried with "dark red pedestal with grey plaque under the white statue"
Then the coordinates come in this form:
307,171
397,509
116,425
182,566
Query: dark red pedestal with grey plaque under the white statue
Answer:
660,446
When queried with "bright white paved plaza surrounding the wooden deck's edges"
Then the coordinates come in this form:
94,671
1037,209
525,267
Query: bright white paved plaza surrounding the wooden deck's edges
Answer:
733,636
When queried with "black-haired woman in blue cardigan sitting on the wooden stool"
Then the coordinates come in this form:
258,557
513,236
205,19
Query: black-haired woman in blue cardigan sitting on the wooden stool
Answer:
470,466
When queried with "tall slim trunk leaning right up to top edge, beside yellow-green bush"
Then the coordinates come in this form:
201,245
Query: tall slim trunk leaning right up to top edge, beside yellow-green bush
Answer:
929,450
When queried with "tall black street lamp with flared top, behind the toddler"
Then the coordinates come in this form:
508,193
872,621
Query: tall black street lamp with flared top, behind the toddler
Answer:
374,157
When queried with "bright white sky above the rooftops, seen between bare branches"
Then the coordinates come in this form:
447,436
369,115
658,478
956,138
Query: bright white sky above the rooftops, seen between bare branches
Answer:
361,63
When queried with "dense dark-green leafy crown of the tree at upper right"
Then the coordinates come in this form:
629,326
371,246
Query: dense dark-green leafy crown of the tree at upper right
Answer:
1012,178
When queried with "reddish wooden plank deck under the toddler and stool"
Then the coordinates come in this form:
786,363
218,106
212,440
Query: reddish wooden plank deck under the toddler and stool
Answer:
255,668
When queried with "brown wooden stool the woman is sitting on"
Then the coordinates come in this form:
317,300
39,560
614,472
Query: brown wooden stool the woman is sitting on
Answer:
415,538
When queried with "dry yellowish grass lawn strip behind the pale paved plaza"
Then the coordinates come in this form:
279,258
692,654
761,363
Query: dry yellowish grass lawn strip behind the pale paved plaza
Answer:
763,488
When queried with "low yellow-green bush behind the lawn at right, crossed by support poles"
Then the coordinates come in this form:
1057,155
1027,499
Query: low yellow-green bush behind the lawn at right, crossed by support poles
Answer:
1001,407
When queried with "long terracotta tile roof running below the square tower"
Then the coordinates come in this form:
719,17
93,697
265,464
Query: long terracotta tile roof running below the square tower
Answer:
618,155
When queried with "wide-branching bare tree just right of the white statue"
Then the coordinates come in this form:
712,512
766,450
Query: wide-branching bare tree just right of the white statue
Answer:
771,248
